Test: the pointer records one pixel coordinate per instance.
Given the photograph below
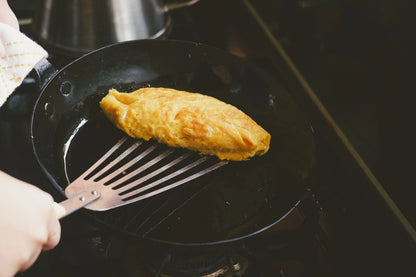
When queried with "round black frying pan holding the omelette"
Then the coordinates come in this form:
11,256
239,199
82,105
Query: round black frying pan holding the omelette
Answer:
69,132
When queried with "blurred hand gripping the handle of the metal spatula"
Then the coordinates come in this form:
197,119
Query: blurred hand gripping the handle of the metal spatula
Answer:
28,224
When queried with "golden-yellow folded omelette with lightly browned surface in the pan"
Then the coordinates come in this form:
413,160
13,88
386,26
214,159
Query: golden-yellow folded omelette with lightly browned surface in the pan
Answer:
189,120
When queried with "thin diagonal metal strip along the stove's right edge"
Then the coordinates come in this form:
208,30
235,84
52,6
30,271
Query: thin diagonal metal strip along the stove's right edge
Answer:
401,218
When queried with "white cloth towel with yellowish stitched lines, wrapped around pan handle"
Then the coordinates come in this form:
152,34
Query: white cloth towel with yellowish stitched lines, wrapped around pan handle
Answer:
18,55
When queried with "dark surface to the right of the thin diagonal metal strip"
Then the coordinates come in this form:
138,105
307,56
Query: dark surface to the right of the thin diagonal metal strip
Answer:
359,58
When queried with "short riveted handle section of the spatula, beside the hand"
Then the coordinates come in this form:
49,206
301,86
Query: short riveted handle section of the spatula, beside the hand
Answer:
75,203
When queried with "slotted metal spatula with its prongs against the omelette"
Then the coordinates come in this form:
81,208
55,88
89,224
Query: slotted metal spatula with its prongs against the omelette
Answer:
125,175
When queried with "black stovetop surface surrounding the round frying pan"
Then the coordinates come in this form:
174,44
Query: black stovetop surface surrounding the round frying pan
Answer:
341,228
